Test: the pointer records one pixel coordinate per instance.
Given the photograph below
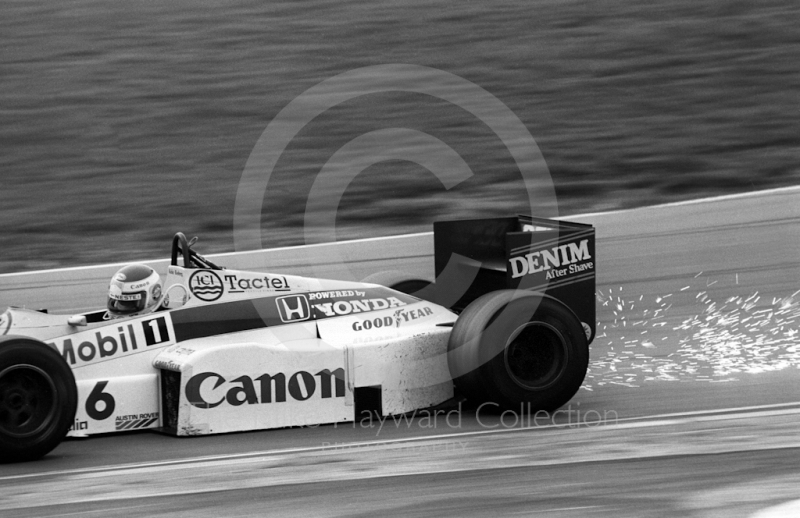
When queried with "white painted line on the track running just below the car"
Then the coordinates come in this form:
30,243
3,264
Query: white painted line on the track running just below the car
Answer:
771,410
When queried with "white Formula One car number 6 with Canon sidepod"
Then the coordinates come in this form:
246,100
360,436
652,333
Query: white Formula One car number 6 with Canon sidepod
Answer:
508,320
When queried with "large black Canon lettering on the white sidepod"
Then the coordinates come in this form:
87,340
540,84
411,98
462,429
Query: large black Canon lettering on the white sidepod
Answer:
266,388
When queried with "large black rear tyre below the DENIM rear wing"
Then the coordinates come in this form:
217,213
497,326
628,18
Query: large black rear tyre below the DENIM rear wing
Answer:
518,350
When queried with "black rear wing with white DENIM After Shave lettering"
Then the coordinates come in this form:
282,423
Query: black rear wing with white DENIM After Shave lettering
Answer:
556,258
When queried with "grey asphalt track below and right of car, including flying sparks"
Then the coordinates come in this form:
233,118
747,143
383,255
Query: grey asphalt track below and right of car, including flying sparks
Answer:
691,408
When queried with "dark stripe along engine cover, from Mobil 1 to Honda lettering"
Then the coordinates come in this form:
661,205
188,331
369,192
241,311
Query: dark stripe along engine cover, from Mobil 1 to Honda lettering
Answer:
245,315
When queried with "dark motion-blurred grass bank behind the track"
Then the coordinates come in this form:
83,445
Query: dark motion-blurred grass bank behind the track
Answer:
123,122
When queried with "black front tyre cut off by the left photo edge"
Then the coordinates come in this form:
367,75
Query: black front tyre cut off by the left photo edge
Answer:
38,399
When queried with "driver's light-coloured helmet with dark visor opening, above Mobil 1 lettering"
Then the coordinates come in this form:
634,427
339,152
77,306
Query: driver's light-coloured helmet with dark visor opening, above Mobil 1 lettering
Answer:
133,289
